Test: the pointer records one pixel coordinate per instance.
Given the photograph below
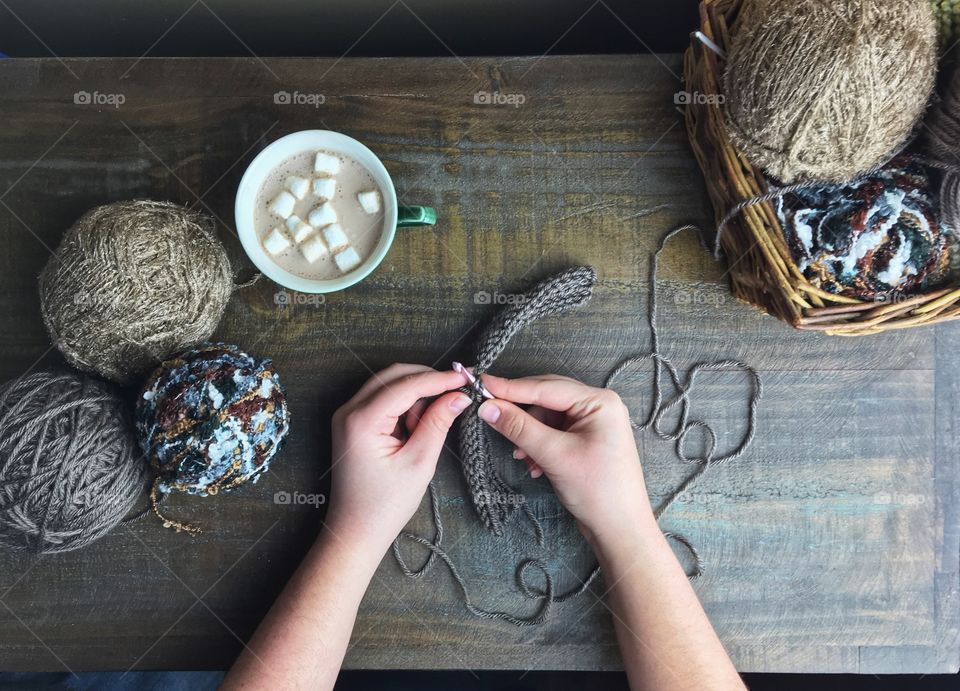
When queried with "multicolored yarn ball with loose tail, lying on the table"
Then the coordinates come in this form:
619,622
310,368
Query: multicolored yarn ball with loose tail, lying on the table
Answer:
210,420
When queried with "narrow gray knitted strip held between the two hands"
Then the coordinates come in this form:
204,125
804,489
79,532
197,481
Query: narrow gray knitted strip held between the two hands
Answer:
493,498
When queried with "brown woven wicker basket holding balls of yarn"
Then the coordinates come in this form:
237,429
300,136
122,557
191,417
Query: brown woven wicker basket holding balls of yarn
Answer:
761,269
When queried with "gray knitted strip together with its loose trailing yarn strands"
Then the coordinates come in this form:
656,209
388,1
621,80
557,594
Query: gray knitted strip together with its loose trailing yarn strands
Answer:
488,490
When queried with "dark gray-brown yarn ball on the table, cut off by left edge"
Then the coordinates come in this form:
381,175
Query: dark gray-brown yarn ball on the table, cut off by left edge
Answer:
68,468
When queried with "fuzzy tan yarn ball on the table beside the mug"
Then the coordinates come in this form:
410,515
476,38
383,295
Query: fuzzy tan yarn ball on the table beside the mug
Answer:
132,283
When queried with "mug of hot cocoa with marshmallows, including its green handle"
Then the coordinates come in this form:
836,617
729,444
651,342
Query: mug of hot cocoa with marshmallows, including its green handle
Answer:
316,211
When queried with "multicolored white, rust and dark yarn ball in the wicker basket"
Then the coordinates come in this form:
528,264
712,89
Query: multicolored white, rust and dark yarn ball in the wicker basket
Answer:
870,238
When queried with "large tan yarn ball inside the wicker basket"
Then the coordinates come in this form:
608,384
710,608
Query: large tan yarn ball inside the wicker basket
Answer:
827,89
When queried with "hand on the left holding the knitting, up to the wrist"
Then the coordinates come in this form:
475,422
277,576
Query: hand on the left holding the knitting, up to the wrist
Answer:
386,443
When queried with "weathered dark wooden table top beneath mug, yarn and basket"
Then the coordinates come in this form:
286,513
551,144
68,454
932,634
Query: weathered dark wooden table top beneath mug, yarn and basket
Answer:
831,546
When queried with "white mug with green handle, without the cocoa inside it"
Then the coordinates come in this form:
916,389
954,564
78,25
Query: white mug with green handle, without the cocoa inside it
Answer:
311,140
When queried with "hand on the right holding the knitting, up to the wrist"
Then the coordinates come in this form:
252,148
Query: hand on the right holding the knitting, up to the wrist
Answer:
582,439
